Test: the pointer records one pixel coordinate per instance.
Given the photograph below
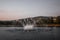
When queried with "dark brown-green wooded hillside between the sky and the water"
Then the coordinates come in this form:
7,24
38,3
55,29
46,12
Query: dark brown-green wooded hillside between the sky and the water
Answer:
39,21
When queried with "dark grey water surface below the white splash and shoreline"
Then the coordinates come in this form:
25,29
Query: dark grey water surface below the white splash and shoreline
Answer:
40,33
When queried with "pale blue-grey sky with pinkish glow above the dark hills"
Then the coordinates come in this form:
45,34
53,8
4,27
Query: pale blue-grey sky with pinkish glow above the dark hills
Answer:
17,9
